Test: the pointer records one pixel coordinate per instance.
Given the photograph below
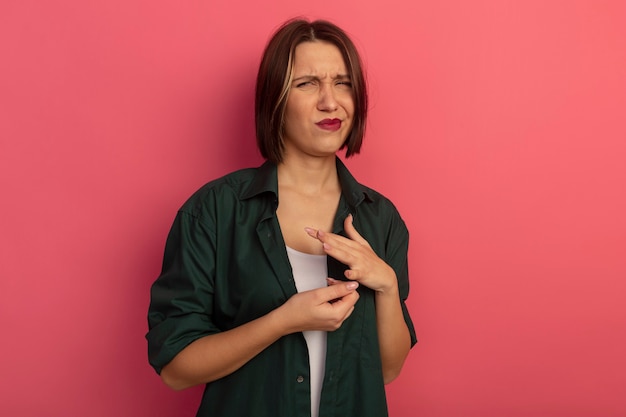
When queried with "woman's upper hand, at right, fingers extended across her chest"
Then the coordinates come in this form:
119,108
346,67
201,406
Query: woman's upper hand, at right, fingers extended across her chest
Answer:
365,266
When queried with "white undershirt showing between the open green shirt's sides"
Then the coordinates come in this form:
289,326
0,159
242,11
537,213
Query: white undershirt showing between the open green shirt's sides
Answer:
310,272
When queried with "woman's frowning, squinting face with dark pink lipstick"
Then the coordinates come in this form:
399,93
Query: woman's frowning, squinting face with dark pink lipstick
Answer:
320,108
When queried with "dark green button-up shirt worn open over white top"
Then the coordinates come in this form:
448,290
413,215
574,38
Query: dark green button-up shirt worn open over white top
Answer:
225,264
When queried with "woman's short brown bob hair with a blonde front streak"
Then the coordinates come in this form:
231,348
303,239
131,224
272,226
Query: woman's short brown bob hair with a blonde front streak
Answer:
275,76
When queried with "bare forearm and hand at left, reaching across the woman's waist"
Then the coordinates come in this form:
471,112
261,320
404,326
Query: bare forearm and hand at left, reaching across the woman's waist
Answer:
214,356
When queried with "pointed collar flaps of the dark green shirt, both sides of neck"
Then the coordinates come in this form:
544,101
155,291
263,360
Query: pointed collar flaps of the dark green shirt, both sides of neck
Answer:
266,181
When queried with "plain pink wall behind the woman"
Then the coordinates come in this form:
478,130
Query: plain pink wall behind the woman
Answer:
497,127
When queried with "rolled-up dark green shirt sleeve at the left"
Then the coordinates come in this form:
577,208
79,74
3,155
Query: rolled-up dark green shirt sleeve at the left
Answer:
182,296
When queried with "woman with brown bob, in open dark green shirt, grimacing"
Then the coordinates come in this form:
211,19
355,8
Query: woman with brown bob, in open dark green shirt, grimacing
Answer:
283,287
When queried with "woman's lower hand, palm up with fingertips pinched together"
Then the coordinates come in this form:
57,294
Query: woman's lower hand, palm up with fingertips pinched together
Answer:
320,309
